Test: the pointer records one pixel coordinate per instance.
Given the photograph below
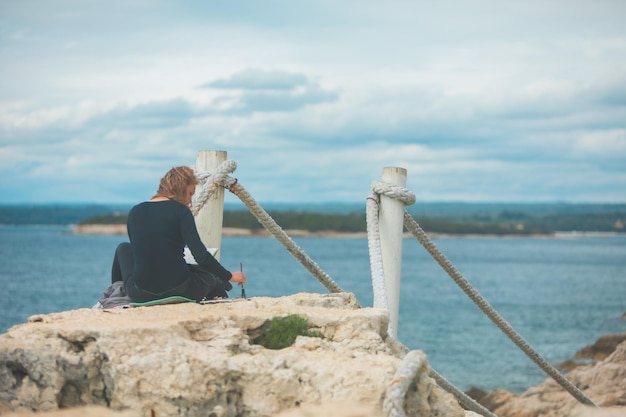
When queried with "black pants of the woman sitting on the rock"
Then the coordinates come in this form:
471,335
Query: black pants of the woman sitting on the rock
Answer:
201,284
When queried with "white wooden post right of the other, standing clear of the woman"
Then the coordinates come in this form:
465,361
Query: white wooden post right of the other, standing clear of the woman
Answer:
391,224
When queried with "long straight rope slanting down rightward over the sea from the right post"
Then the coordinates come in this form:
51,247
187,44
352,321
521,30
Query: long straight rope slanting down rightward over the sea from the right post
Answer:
493,315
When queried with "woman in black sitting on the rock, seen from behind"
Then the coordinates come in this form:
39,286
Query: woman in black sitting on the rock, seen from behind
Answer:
152,266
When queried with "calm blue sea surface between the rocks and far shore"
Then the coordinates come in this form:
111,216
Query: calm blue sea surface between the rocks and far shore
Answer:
560,294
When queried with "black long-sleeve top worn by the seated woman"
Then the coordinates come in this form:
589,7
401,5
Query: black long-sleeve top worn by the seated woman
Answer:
158,232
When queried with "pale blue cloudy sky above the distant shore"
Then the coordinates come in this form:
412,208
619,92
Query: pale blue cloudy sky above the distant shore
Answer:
520,101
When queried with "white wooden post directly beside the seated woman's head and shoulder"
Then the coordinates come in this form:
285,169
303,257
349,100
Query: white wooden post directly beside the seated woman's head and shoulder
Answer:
209,218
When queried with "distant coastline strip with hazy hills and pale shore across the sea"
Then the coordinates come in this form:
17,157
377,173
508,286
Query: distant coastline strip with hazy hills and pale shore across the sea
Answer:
328,220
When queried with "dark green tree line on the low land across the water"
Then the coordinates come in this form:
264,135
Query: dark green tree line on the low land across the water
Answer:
503,223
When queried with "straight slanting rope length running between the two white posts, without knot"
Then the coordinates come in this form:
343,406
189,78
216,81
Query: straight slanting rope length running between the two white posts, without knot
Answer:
280,235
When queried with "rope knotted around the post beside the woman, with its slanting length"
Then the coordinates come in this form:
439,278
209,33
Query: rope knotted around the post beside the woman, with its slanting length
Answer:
220,178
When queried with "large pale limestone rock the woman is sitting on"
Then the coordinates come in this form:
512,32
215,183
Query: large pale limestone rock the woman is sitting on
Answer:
197,360
